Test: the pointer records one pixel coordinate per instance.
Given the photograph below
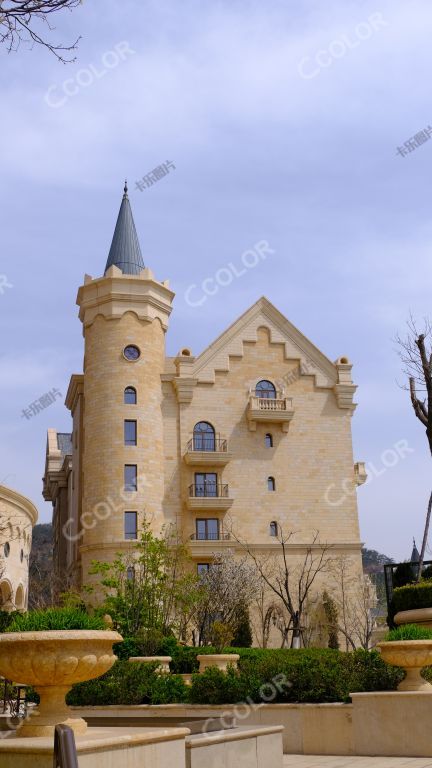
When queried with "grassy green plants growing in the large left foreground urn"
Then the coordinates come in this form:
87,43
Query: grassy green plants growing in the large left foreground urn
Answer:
54,618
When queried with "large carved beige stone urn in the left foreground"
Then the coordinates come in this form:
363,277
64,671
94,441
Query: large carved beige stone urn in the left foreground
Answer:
52,662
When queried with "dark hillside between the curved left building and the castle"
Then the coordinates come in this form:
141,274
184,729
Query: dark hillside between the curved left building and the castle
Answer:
41,566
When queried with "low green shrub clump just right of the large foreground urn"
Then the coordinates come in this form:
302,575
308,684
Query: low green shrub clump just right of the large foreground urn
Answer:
129,683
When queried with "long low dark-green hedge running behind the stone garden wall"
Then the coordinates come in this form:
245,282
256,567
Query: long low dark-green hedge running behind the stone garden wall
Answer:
305,675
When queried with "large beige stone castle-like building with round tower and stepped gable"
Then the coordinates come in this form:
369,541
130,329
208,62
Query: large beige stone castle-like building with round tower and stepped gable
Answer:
252,433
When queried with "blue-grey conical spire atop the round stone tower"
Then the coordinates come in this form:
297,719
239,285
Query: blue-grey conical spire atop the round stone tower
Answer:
125,251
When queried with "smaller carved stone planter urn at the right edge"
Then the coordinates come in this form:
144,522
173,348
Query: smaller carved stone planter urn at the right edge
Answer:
412,656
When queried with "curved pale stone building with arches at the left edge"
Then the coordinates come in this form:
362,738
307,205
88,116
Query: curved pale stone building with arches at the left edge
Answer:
18,515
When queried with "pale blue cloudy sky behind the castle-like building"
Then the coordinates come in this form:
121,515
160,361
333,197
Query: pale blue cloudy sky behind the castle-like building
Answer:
283,121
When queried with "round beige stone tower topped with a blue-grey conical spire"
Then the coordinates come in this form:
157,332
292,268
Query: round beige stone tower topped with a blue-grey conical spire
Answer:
125,317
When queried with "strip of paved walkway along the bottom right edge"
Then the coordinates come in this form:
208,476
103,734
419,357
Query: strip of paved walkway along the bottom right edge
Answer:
315,761
